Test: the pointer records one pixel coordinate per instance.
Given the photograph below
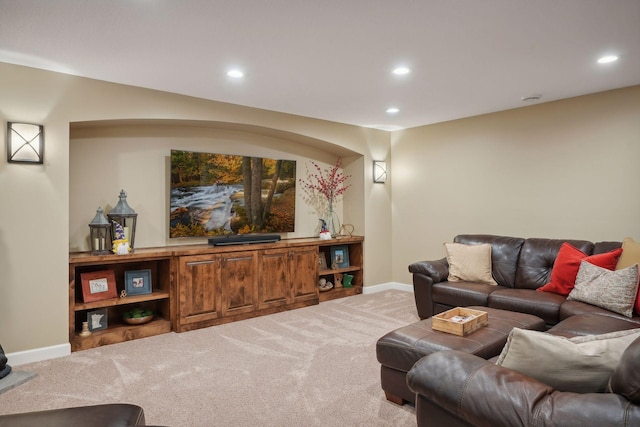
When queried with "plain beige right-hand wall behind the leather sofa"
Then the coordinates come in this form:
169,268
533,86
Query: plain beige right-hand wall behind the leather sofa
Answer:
565,169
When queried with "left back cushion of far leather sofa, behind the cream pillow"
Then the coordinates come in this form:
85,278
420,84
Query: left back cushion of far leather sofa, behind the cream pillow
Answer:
504,254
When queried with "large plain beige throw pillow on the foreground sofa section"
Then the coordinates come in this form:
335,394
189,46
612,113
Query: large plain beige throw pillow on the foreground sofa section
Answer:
579,364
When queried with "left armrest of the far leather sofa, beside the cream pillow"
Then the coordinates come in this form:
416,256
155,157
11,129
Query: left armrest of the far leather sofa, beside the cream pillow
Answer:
425,274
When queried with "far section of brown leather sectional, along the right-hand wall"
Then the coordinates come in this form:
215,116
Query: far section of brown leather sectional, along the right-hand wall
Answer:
519,266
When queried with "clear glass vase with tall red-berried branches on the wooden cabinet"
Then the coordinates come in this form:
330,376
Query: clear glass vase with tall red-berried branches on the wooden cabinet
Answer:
322,189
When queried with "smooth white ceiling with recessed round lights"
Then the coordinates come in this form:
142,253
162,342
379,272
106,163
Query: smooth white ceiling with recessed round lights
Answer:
332,59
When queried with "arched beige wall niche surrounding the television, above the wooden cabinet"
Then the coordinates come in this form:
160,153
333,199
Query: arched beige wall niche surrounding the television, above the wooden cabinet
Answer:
106,156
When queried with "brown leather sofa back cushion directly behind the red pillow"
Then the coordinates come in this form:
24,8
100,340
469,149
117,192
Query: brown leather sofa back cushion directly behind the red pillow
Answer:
537,257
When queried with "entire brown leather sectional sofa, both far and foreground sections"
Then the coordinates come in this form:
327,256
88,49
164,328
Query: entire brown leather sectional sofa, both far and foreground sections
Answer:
458,389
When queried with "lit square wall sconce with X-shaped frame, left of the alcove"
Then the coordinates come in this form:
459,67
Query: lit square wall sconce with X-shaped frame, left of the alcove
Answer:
25,143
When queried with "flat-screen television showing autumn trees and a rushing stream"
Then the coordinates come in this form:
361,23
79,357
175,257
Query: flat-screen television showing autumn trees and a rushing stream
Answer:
214,194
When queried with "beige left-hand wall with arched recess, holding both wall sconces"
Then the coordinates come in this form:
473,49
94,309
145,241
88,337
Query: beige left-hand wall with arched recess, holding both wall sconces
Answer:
41,217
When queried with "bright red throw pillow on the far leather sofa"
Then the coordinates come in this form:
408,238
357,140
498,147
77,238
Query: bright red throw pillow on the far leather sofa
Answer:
567,264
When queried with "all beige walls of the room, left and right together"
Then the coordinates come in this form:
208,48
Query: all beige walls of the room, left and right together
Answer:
562,169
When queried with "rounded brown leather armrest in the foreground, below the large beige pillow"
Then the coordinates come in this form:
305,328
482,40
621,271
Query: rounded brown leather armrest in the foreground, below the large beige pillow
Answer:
484,394
